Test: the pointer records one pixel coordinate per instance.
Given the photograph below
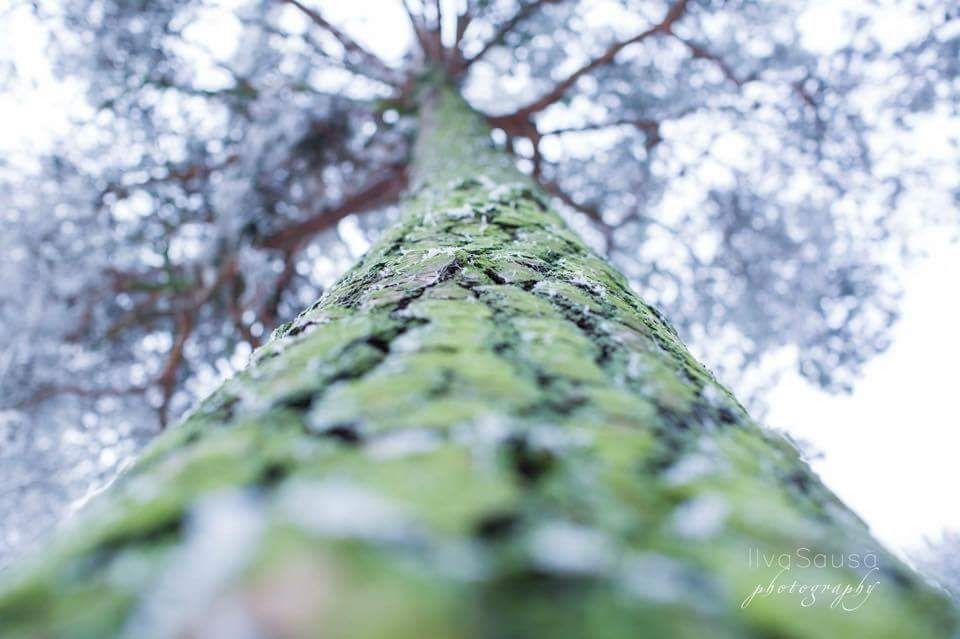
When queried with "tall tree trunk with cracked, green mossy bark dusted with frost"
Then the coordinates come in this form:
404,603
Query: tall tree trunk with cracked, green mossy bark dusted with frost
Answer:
480,431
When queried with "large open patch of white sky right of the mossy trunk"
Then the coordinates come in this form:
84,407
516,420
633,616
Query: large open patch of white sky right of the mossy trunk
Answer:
891,448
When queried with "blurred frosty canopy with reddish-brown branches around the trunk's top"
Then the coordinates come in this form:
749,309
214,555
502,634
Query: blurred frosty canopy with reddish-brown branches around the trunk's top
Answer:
231,158
